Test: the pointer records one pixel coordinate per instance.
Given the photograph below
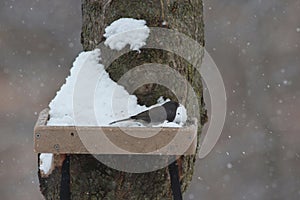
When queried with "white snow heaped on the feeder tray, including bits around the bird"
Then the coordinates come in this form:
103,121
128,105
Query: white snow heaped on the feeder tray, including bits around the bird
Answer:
108,101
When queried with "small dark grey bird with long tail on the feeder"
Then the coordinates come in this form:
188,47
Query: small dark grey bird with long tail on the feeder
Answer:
155,115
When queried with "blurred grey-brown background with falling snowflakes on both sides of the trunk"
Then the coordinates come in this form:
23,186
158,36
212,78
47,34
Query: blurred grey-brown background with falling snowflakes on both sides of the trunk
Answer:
254,43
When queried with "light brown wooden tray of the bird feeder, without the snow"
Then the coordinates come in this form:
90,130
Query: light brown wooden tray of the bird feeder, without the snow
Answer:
113,140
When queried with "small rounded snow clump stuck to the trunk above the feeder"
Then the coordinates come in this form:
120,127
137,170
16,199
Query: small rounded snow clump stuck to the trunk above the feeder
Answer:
126,31
